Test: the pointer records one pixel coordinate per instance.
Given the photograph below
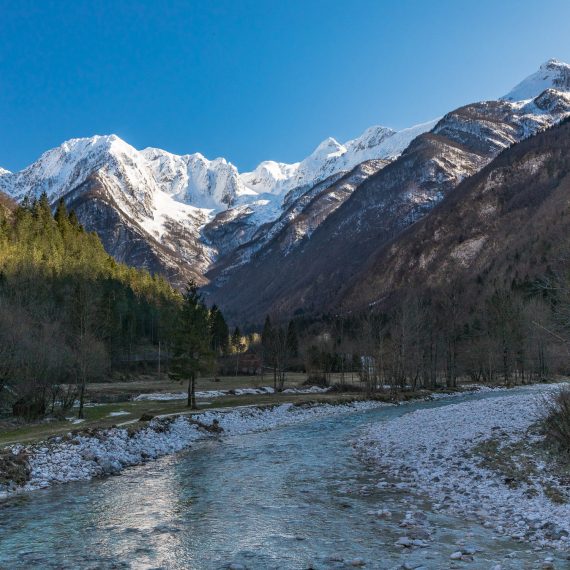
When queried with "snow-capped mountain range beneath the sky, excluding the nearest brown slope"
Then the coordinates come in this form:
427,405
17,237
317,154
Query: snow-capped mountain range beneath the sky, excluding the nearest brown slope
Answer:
288,238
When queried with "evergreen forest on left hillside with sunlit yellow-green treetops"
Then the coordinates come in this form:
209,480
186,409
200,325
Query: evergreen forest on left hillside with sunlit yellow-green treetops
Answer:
71,315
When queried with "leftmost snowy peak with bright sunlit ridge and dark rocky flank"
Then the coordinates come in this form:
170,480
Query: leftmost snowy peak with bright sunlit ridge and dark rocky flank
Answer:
116,193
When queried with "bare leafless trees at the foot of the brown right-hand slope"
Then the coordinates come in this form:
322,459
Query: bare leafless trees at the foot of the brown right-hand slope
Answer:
434,339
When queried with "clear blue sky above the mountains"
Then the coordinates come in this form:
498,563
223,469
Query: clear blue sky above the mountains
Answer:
255,79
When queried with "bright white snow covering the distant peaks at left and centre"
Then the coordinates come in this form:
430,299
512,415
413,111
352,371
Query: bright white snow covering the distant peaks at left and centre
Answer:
156,188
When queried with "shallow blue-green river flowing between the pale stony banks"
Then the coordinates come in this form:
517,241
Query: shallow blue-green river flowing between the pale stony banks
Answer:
291,498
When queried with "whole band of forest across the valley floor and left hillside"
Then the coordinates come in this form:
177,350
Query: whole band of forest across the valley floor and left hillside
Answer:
71,315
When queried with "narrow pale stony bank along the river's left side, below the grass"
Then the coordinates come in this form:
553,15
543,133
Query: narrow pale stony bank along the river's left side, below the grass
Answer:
95,453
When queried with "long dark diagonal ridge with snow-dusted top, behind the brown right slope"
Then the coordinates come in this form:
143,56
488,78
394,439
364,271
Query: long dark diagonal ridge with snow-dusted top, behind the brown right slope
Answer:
314,276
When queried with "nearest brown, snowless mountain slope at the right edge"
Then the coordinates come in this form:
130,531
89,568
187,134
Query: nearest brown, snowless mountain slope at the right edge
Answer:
504,225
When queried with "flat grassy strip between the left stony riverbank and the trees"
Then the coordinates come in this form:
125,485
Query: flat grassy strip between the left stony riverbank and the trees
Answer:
101,414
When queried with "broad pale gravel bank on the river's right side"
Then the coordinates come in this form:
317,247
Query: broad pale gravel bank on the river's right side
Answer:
441,452
